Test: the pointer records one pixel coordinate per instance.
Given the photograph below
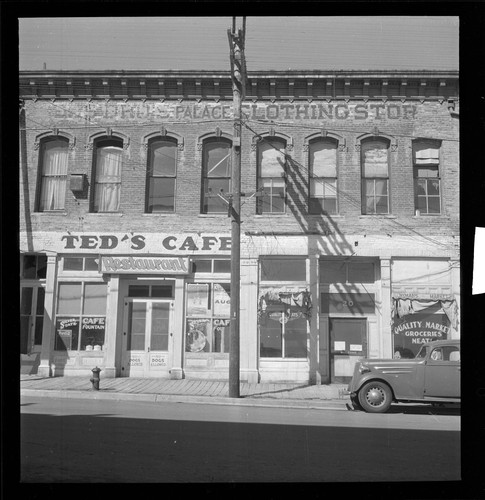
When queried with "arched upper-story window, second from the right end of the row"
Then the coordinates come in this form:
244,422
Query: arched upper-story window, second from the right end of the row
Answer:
375,176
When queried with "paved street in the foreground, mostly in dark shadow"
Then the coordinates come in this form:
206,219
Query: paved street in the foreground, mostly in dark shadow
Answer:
70,440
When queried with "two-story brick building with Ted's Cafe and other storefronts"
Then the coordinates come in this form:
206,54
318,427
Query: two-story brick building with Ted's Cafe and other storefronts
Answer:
350,221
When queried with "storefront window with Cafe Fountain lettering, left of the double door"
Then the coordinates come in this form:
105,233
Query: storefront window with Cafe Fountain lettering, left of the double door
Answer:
81,316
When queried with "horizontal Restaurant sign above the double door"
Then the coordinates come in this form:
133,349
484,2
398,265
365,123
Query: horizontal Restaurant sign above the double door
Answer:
144,265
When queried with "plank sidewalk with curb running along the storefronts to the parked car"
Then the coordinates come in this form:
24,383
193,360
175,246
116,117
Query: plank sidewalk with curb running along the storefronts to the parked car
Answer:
192,391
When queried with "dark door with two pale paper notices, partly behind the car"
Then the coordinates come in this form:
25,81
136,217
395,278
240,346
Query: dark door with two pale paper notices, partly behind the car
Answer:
348,343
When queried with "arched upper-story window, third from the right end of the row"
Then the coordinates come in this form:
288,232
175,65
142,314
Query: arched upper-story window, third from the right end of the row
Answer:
323,176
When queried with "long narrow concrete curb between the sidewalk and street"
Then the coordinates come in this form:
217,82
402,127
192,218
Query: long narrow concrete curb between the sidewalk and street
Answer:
339,404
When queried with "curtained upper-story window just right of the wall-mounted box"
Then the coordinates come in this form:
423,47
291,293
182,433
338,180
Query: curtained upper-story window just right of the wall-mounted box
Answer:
108,156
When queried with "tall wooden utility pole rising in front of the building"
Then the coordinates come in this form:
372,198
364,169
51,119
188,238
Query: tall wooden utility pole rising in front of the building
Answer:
238,76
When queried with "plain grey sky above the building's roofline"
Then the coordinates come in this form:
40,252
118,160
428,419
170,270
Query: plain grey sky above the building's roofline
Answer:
272,43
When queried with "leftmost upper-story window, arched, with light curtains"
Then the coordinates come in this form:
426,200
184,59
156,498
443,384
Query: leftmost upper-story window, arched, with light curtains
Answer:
53,174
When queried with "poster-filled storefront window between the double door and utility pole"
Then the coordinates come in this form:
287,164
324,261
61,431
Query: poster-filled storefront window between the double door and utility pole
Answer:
208,317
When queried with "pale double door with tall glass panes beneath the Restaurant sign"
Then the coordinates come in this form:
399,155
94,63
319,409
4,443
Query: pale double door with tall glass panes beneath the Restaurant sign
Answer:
147,337
